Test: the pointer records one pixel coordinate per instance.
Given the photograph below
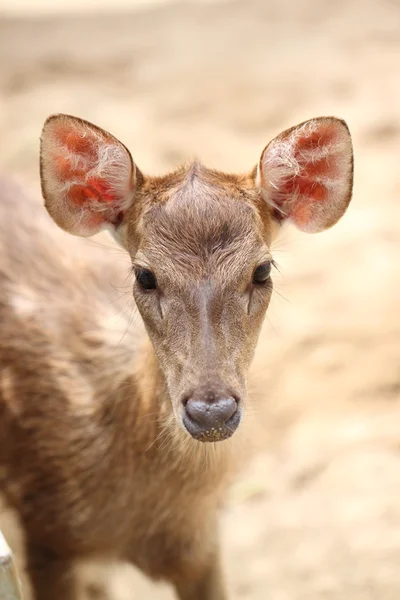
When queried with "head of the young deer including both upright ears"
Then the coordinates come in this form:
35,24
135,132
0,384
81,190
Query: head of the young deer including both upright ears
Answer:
199,241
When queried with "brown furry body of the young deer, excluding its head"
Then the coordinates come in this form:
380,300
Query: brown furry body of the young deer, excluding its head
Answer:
92,461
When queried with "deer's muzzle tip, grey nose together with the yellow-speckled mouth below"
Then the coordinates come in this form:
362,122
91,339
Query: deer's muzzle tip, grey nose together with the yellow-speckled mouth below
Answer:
209,417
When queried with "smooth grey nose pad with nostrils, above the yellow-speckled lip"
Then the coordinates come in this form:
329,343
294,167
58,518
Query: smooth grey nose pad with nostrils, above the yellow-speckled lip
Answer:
211,414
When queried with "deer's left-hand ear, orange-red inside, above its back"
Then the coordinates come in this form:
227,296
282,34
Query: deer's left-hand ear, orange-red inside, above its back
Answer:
88,177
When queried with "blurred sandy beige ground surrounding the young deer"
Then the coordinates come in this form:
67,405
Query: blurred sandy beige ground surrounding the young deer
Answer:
316,513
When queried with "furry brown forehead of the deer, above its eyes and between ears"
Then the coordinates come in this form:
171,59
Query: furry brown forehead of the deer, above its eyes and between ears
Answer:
201,215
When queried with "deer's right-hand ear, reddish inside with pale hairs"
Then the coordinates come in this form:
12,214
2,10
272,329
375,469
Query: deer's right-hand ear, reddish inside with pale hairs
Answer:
306,173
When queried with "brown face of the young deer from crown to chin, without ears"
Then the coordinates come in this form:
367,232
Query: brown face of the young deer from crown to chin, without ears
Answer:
200,254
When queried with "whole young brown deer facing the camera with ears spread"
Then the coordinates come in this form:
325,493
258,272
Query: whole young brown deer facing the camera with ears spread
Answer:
95,426
